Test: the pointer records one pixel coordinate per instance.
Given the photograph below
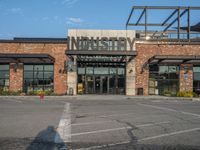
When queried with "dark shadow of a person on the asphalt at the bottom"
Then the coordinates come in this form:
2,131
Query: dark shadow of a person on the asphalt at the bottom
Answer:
45,140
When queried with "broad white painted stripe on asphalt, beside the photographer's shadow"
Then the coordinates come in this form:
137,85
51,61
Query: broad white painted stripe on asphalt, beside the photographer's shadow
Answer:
64,127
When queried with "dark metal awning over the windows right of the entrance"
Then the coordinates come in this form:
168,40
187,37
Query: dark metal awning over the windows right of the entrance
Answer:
172,59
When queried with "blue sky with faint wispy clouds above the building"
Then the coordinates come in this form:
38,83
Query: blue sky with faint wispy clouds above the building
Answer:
53,18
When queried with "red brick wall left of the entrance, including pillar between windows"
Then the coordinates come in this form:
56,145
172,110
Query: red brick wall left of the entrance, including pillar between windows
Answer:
55,50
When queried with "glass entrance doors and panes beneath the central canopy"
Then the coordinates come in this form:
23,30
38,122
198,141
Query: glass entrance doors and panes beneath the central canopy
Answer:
101,79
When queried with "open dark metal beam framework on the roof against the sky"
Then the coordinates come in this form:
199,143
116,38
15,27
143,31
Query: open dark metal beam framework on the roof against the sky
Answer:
176,11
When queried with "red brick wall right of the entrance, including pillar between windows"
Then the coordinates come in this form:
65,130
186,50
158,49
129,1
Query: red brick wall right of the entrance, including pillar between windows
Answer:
146,51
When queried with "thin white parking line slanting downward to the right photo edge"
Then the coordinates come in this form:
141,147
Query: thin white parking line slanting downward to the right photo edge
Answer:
169,109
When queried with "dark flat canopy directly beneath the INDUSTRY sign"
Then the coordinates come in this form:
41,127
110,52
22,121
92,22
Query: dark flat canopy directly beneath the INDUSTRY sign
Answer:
101,56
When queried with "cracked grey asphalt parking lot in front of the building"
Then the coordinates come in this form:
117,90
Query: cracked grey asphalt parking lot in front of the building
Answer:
98,122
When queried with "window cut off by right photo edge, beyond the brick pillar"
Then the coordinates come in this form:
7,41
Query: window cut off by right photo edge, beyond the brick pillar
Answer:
196,79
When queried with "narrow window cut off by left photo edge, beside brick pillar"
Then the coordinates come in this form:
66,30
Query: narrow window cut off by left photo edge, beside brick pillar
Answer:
4,77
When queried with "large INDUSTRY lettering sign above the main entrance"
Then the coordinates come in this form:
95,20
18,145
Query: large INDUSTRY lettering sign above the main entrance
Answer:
100,43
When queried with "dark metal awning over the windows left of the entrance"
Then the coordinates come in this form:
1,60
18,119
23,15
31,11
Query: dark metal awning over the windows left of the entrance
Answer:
25,58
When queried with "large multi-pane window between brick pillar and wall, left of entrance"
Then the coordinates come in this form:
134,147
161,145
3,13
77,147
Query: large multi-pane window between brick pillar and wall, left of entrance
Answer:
38,77
